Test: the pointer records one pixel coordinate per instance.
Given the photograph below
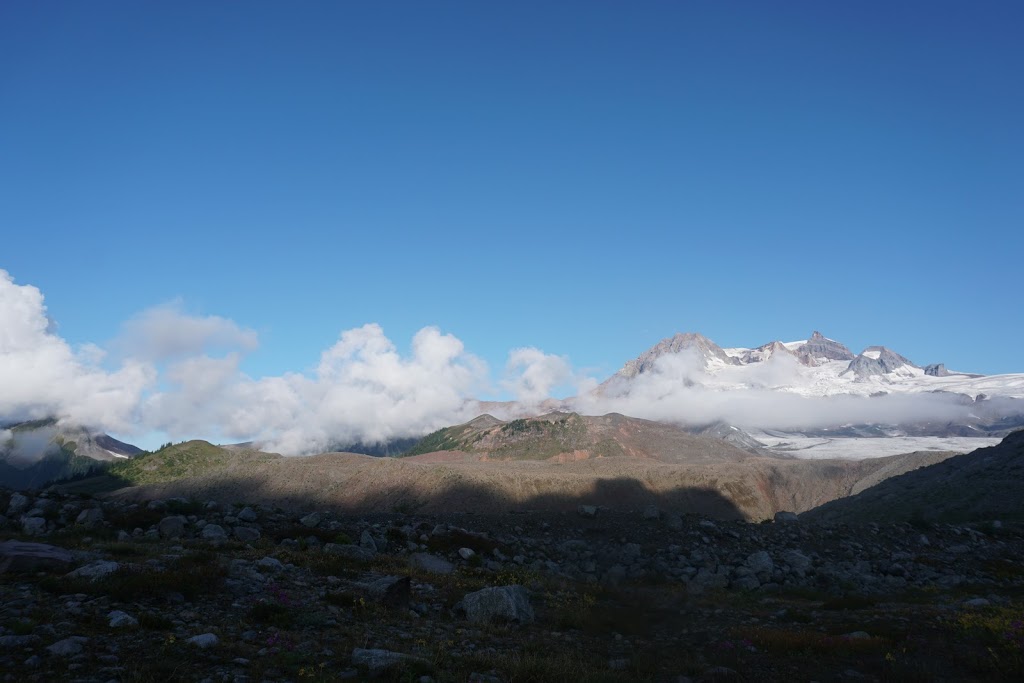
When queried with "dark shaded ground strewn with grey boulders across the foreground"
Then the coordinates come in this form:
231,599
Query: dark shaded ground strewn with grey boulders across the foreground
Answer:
113,590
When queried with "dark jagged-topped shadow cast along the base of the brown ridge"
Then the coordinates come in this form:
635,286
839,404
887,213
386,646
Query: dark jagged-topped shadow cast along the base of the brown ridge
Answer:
621,494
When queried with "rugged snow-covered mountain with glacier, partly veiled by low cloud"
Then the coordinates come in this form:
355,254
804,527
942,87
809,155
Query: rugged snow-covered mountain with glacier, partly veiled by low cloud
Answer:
814,398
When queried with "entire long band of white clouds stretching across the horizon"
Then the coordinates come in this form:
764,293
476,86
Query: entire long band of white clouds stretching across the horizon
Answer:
172,372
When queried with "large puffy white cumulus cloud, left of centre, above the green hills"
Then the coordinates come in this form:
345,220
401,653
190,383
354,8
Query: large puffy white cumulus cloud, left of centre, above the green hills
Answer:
363,391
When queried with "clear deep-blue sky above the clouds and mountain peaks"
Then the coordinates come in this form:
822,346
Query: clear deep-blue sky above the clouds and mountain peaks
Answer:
584,178
